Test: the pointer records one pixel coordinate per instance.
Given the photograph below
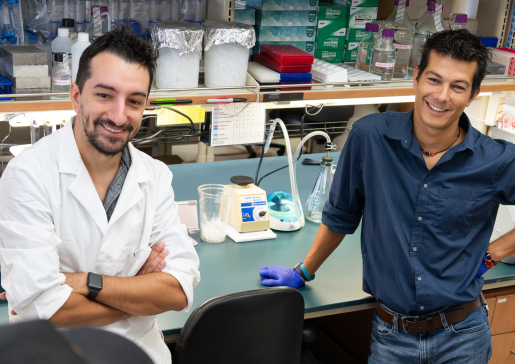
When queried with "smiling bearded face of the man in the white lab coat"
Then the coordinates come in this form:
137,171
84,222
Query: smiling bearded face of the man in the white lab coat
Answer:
112,102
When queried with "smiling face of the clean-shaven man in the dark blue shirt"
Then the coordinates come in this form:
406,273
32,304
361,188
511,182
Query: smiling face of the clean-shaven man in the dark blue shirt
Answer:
443,91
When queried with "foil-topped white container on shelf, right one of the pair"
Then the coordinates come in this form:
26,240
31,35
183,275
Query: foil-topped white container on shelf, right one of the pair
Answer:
226,53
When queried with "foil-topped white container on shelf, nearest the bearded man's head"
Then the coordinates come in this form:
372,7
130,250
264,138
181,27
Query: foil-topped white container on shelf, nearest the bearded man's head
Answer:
180,45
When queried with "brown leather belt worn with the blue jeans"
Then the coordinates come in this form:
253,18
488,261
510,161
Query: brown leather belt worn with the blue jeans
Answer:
429,323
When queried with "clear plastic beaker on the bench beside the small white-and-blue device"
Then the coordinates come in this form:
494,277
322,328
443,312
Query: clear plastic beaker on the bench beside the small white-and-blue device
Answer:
214,201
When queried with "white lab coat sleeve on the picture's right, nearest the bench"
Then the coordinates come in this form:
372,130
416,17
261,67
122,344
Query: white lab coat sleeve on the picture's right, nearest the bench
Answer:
182,261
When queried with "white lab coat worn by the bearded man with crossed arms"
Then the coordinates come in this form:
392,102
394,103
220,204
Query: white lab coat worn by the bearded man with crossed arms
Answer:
52,220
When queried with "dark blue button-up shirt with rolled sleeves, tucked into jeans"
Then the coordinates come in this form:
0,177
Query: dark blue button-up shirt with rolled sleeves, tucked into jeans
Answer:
424,232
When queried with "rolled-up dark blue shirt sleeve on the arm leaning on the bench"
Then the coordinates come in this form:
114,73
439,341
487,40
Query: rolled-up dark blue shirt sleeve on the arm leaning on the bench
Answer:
343,210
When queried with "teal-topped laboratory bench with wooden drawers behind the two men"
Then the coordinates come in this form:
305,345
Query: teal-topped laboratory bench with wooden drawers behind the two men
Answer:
232,267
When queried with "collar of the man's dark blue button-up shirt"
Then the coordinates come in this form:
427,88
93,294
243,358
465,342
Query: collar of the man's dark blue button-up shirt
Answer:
401,128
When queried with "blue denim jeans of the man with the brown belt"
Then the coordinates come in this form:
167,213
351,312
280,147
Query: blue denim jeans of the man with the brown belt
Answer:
465,342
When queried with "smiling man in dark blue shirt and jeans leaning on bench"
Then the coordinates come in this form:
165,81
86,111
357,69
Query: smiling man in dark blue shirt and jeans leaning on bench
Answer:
427,187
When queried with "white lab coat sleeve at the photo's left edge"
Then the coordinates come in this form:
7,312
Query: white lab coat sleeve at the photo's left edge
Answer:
29,247
